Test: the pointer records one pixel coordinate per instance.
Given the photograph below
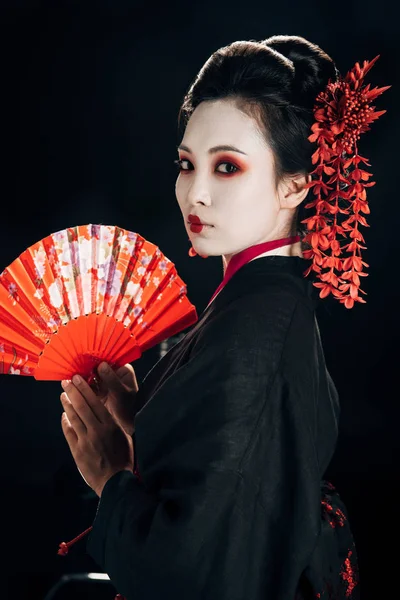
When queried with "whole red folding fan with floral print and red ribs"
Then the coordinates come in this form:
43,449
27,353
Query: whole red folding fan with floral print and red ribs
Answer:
87,294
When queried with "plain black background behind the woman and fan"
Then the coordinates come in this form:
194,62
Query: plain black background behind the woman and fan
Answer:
90,95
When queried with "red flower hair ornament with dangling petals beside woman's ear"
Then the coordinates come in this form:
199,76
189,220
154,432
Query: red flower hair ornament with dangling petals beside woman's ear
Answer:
342,113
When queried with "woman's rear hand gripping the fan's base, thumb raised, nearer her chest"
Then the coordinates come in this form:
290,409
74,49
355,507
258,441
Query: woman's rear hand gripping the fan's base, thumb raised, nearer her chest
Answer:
118,391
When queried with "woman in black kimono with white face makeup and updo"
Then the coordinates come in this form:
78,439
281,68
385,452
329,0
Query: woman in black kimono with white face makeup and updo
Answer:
234,428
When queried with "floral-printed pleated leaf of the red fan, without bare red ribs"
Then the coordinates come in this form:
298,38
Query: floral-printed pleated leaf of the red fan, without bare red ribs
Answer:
80,271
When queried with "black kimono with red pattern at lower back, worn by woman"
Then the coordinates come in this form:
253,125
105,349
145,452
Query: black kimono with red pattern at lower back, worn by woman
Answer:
237,425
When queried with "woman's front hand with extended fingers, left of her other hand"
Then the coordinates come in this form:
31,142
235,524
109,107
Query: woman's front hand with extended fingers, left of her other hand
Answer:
99,445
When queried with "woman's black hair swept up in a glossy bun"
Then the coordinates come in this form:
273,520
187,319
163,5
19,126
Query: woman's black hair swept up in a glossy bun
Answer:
276,82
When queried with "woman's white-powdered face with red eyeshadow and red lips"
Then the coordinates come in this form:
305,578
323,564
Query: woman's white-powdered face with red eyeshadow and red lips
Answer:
232,190
